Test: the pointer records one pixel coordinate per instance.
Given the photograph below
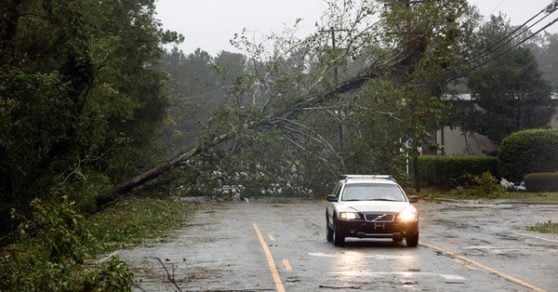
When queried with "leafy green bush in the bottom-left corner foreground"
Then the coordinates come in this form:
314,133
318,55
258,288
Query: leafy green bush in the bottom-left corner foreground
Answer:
53,244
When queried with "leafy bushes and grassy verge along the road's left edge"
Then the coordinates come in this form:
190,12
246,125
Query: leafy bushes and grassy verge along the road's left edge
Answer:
57,246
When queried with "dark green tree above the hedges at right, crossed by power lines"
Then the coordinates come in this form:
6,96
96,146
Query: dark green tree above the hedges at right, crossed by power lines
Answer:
509,92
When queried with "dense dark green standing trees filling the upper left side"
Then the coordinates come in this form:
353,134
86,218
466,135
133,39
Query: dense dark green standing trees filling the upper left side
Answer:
80,97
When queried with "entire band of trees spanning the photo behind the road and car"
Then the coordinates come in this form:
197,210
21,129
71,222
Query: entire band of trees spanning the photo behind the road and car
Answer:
84,90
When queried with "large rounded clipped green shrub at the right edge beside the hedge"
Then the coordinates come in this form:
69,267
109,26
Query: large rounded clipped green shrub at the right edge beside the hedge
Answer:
528,151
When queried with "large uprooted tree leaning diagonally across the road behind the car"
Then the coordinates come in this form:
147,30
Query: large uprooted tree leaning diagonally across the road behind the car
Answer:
402,56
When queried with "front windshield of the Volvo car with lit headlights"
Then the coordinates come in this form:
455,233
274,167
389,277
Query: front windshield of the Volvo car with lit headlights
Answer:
372,192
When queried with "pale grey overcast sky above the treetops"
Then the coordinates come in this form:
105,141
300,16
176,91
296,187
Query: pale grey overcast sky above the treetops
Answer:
210,24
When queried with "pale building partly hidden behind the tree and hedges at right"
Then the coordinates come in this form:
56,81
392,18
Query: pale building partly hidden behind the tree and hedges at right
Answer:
455,141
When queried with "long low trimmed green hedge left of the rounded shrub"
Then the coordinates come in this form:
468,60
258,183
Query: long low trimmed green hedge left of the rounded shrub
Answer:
451,171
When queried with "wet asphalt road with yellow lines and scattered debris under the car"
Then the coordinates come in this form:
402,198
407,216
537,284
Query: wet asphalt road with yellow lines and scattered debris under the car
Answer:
463,247
